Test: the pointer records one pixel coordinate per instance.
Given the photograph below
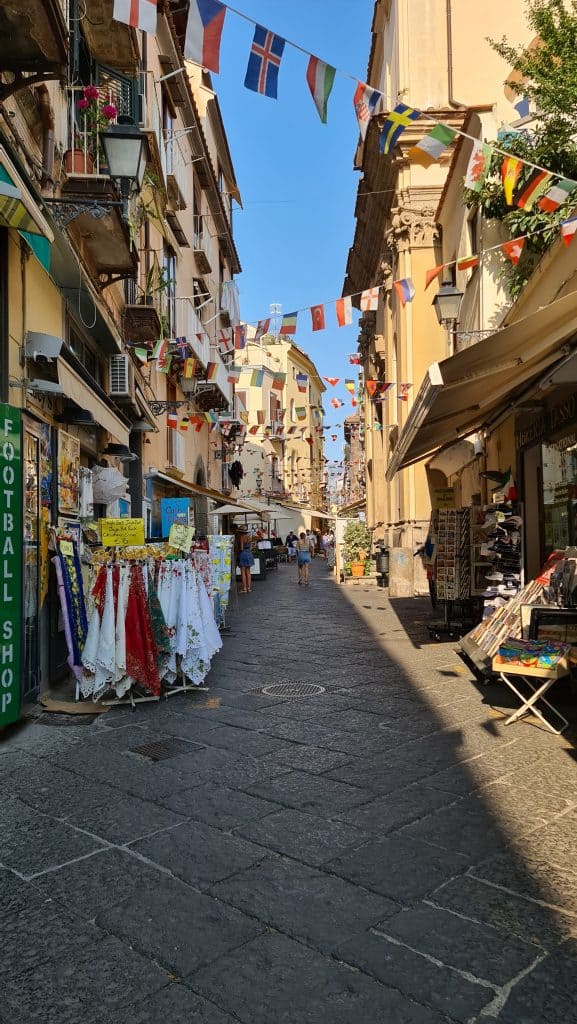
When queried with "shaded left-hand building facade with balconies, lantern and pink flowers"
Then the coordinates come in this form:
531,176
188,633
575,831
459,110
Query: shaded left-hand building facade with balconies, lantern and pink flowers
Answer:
116,292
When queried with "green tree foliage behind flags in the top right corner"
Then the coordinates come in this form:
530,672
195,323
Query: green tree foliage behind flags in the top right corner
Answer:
547,74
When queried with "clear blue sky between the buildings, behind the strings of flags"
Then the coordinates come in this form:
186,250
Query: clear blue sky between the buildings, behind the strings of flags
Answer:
296,175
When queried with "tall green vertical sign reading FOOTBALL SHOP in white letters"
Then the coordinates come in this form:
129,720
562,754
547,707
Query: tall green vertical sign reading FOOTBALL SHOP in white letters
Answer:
11,563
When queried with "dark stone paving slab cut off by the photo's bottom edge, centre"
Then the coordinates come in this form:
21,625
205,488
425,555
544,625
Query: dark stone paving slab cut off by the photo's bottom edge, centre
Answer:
302,986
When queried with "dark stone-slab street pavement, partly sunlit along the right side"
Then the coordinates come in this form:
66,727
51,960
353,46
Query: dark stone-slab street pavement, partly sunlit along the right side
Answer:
387,851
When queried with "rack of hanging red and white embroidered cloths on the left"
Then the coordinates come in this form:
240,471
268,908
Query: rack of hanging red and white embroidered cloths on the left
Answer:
147,625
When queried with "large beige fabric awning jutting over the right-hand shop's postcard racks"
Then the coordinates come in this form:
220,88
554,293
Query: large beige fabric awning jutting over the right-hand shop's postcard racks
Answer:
470,391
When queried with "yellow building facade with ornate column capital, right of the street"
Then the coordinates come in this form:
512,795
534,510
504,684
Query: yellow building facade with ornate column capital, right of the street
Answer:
397,234
